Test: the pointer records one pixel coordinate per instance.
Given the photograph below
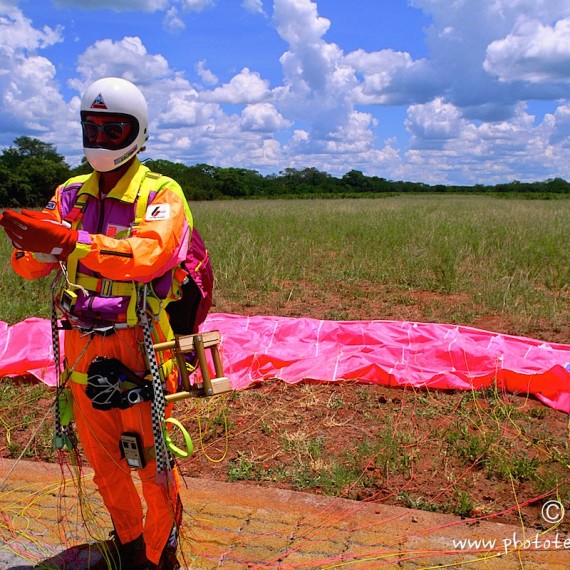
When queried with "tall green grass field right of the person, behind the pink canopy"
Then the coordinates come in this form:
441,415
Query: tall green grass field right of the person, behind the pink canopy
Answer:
507,258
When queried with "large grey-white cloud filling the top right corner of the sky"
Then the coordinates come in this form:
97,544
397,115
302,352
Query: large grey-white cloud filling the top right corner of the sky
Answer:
470,45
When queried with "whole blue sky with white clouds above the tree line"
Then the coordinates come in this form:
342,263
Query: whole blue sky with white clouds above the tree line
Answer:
454,91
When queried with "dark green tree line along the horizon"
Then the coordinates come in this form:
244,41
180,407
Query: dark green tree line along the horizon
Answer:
31,169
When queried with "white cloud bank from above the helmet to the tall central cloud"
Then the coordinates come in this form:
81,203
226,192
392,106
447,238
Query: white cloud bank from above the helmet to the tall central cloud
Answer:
186,124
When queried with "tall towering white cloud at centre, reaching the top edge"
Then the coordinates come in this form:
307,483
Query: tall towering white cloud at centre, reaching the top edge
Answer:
321,90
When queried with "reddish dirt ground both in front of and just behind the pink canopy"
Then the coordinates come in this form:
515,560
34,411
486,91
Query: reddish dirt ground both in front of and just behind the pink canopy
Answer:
485,455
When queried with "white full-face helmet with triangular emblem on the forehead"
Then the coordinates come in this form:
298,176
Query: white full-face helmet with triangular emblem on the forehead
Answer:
114,96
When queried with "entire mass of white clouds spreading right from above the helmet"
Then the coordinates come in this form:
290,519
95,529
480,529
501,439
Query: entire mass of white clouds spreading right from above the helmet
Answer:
463,123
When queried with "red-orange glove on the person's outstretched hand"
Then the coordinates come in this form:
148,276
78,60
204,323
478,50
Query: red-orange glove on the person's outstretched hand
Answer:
33,231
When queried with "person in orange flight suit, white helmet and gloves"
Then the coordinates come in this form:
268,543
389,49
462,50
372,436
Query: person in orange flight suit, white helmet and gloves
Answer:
90,229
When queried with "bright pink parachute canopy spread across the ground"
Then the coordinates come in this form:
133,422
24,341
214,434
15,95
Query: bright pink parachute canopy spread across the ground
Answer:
391,353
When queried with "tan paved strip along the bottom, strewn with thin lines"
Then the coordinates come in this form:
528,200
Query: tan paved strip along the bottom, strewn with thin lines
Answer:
240,526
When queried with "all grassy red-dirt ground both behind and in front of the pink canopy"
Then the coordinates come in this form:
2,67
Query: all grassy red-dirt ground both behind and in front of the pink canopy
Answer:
498,264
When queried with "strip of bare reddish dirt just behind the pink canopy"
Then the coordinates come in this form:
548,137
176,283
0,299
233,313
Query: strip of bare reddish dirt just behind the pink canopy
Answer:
346,300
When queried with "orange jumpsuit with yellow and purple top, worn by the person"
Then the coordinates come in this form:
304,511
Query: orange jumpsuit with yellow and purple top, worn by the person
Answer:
108,259
